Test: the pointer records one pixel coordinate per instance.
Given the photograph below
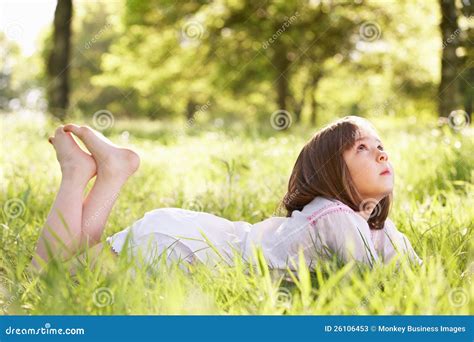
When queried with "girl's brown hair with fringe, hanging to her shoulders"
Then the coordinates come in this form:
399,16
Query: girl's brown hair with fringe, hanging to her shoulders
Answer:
320,170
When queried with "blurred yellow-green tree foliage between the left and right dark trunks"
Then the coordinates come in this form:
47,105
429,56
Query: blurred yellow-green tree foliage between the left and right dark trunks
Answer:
250,58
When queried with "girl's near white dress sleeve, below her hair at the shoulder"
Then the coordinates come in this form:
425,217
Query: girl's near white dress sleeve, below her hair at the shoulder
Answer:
347,235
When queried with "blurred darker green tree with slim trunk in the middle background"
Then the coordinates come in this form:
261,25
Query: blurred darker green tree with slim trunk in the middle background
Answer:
287,43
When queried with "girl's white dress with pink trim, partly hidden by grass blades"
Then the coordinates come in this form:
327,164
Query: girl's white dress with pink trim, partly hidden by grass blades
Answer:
324,227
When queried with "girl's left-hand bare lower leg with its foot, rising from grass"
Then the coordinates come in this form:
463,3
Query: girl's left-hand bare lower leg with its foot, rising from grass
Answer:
62,230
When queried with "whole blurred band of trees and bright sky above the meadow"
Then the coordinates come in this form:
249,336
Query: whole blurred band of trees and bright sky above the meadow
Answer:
237,61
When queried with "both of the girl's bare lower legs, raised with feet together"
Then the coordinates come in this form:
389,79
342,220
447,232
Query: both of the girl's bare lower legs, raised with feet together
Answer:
73,222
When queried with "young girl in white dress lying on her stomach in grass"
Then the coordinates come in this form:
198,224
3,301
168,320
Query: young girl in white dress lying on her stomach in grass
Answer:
338,200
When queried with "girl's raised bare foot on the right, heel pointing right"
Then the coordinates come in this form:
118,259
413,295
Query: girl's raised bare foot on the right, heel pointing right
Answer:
112,161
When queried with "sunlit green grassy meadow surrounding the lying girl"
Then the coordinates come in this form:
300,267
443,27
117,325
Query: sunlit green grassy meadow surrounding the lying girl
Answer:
239,173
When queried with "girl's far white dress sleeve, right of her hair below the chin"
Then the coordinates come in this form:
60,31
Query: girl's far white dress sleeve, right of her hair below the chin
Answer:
396,242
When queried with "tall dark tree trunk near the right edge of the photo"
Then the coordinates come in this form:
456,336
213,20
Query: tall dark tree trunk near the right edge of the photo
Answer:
448,92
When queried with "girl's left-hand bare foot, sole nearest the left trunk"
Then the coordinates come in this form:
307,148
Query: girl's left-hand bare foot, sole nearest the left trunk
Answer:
73,160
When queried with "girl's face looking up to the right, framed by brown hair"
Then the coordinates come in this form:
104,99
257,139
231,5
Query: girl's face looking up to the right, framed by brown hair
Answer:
369,167
